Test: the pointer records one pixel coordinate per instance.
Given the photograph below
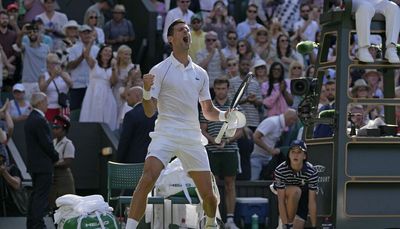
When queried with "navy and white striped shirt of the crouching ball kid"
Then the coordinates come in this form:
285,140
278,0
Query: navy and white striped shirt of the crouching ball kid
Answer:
284,175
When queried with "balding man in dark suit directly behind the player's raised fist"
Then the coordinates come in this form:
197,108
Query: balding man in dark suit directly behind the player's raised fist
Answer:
134,140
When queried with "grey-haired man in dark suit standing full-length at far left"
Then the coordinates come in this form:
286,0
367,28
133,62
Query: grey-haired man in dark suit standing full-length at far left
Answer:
41,157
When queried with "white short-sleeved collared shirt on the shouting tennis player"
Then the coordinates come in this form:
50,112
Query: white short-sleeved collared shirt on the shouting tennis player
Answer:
178,89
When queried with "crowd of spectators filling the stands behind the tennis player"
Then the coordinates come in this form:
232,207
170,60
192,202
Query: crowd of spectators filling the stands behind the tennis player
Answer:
41,49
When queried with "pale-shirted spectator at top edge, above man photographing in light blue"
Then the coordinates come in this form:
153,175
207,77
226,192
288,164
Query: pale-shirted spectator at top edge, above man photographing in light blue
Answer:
53,22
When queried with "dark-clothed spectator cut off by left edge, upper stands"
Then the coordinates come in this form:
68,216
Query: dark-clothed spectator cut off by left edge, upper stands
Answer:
7,40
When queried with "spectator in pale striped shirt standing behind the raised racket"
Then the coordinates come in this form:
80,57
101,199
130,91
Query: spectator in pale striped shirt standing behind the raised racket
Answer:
251,99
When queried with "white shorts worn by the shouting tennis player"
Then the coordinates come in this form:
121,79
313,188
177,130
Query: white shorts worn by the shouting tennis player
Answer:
193,155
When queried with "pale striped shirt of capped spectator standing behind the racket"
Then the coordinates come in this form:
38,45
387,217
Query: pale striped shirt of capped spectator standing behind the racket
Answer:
251,111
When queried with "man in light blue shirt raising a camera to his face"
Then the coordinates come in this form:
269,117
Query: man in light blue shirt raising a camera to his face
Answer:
34,58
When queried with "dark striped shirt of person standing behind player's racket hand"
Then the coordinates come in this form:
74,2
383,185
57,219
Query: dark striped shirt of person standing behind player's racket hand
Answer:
213,129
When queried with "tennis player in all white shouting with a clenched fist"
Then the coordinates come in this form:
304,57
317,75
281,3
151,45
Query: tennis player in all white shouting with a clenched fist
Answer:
174,87
